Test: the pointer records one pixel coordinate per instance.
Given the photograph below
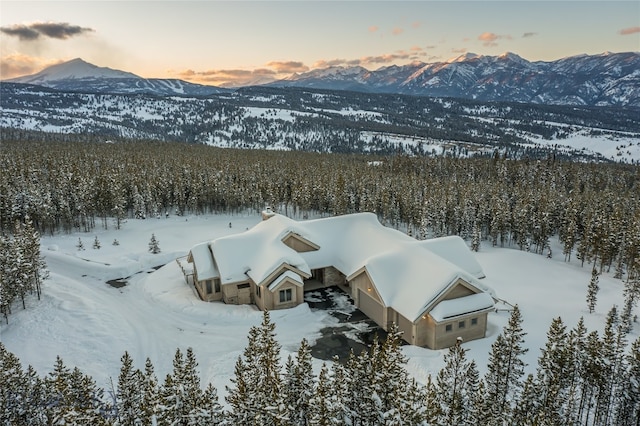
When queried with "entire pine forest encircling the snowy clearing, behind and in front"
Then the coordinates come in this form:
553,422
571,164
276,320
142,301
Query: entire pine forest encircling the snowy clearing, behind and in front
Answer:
582,378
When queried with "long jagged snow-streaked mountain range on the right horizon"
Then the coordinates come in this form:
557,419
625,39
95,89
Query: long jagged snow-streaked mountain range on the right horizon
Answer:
607,79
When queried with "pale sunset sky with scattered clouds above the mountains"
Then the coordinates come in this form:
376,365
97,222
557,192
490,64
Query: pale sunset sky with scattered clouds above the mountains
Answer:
241,42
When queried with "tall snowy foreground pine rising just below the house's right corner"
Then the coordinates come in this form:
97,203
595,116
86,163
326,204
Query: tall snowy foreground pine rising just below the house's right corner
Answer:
505,369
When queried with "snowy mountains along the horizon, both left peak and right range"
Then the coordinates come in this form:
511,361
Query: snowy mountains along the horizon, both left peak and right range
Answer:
607,79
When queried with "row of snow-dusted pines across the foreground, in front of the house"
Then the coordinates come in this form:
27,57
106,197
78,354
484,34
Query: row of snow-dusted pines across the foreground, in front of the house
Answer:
581,379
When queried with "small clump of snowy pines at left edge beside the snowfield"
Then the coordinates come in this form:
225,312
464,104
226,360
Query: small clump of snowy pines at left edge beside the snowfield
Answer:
22,268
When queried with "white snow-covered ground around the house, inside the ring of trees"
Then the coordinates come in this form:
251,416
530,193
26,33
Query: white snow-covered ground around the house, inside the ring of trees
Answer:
90,323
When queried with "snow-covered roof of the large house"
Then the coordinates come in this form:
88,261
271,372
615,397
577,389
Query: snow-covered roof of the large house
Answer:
408,274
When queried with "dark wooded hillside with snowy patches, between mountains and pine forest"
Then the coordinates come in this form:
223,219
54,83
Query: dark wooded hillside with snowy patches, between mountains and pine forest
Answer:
331,121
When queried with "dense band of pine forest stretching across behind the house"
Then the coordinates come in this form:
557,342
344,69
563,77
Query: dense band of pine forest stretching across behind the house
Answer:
593,208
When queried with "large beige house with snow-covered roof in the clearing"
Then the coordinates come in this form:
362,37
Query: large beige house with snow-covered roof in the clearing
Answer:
430,288
